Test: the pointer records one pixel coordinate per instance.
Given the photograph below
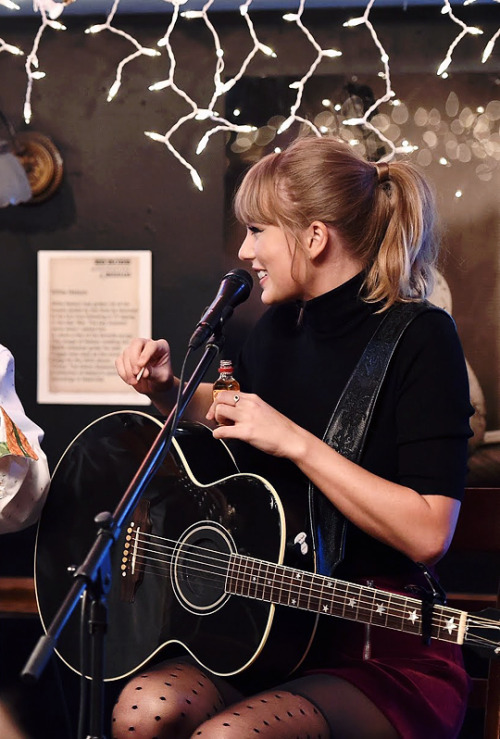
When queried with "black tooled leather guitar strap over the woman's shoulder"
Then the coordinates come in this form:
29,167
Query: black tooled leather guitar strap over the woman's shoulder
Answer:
346,431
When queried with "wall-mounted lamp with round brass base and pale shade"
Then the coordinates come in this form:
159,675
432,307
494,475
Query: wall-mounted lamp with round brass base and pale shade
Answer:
31,167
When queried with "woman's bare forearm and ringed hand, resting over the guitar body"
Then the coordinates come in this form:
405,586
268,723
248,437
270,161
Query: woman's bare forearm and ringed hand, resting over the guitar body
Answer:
420,526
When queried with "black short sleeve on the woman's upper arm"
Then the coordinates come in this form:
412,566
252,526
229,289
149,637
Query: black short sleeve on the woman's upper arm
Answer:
433,408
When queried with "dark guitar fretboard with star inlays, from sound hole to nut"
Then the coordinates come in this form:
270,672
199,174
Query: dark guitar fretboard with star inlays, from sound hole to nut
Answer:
282,585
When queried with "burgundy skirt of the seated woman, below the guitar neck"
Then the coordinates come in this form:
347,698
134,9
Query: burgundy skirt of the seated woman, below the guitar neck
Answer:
422,689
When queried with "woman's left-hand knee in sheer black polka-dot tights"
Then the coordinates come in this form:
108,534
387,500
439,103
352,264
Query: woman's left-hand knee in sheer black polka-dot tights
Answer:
169,701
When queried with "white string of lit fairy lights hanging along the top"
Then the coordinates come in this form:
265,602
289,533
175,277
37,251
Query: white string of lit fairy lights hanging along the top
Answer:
179,12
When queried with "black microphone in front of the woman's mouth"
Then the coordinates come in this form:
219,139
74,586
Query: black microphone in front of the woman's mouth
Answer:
234,289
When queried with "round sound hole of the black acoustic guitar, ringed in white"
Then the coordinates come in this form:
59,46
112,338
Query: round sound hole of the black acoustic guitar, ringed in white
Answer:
200,566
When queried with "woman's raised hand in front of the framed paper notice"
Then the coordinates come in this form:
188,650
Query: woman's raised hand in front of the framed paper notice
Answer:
146,365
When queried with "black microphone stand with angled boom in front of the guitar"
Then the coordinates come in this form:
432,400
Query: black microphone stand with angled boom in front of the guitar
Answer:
94,574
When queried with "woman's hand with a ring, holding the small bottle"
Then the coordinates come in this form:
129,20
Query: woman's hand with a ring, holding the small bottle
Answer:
247,417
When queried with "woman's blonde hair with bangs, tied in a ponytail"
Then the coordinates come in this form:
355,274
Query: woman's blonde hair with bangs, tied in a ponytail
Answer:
385,215
